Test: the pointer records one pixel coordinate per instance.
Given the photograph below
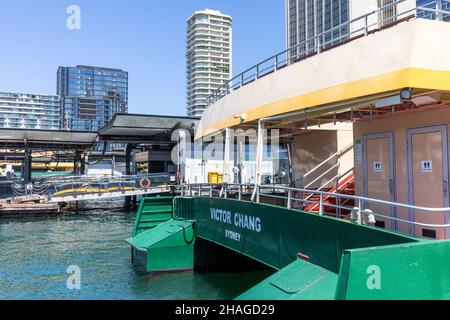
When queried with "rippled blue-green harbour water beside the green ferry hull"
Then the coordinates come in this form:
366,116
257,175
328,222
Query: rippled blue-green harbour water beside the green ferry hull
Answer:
36,252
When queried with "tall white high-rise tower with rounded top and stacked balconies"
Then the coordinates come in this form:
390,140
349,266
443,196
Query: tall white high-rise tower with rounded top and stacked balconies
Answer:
209,57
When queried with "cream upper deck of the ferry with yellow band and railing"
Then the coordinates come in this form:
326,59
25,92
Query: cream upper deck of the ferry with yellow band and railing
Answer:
324,82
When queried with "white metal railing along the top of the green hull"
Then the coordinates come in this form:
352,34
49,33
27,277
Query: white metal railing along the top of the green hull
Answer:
357,212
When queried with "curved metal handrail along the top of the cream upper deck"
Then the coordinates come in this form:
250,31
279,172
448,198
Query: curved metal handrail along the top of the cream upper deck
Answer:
320,43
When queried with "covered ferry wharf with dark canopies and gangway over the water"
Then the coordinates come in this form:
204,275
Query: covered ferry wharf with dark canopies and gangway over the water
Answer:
44,194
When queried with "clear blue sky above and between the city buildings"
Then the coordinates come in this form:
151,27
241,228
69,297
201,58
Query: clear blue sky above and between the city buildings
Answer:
144,37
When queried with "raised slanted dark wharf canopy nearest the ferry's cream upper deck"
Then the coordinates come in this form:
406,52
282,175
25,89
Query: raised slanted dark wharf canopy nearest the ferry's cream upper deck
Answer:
145,129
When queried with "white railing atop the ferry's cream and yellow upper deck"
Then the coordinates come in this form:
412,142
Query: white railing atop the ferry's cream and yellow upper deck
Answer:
359,27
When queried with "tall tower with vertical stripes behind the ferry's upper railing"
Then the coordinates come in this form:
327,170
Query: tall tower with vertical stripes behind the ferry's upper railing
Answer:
305,19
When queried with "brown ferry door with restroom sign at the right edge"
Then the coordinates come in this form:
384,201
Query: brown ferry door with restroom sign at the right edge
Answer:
428,179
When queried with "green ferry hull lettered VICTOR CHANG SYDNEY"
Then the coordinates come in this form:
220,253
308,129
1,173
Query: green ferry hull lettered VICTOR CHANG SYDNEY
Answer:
314,257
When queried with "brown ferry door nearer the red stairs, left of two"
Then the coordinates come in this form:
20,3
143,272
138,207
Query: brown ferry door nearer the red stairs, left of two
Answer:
379,177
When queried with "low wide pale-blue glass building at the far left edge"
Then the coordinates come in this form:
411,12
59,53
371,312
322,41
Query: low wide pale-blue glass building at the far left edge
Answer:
29,111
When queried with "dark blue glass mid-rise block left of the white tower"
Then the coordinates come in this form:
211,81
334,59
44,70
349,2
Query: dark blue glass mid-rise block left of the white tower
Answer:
90,96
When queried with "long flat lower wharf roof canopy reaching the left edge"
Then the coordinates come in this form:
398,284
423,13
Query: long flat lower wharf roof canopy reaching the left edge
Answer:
50,140
